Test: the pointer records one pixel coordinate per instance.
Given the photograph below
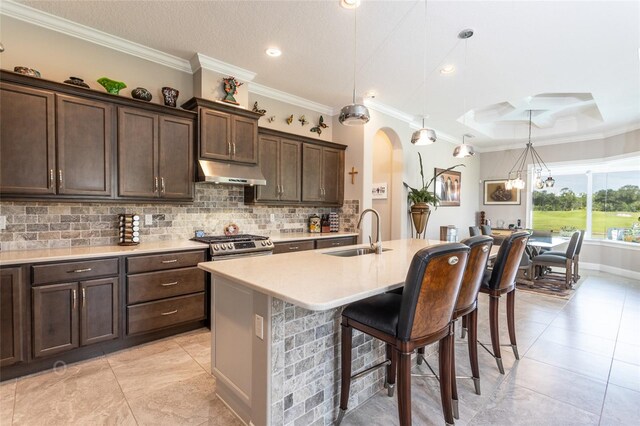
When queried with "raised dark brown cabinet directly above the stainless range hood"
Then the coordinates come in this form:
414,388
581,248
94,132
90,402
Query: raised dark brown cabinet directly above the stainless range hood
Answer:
227,133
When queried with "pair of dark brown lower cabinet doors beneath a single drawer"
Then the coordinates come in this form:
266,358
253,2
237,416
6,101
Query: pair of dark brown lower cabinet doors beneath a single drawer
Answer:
69,315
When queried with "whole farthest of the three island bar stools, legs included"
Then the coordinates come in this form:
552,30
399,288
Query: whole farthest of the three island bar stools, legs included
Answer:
500,280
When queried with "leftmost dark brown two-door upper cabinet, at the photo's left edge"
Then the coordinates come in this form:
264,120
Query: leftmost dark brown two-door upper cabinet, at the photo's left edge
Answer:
34,129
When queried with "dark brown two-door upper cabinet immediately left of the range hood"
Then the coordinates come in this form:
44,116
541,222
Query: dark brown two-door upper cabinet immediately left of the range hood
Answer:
155,155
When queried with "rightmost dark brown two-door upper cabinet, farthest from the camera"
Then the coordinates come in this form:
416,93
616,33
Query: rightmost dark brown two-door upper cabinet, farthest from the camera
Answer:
322,174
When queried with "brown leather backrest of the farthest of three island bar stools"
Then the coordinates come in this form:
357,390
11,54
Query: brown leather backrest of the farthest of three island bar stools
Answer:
508,260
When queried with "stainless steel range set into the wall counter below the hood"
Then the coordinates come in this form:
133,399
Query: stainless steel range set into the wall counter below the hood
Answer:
233,246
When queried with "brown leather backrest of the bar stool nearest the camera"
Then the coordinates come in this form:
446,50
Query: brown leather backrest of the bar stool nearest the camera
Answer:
431,290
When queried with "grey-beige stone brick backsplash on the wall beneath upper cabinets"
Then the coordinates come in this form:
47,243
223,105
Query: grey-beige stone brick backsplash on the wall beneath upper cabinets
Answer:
32,225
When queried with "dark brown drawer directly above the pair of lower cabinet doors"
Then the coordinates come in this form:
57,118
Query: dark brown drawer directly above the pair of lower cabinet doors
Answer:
74,271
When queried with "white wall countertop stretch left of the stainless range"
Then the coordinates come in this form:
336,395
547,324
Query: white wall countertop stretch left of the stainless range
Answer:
13,257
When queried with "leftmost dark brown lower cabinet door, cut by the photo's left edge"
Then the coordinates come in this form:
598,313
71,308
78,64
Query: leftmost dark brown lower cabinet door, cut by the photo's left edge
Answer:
11,316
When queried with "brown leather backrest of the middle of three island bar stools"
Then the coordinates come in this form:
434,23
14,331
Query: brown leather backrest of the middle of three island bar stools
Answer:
480,249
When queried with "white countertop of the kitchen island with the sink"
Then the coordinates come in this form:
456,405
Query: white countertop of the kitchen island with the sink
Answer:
318,281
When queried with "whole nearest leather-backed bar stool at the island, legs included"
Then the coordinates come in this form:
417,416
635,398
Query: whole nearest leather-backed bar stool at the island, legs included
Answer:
418,317
